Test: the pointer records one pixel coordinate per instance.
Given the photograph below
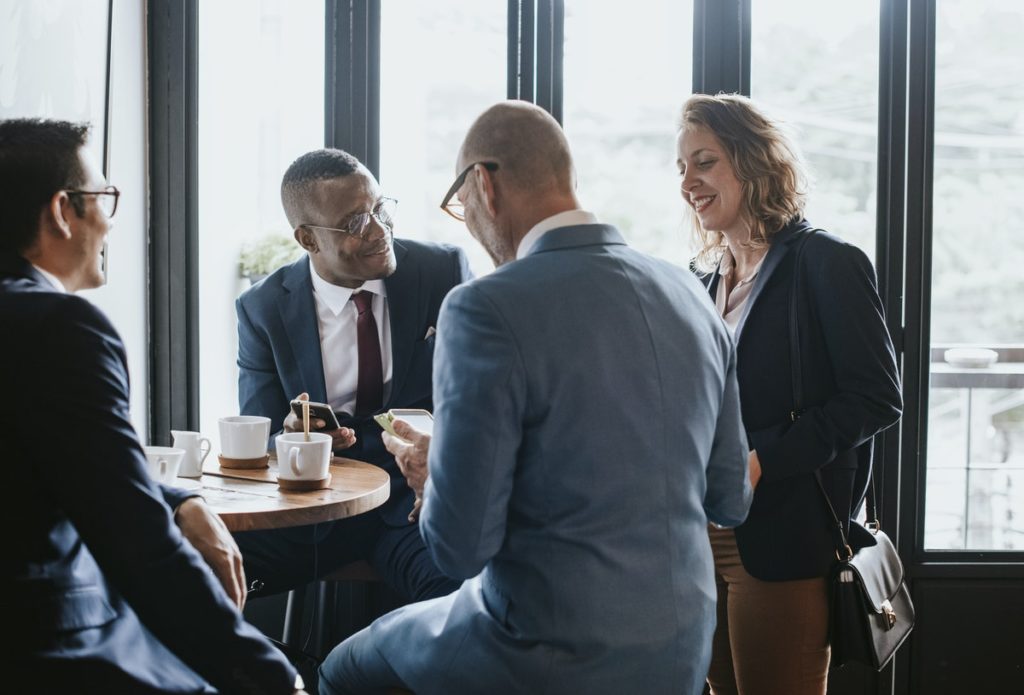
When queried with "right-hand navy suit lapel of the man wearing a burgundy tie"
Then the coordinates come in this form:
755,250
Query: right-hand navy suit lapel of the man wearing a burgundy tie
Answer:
405,307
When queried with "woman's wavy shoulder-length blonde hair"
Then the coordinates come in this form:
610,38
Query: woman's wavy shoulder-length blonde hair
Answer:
764,161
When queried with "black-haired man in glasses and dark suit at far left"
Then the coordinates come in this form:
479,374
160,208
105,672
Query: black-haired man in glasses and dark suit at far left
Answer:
103,592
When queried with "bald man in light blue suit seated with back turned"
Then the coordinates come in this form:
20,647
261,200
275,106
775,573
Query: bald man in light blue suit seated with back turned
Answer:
587,429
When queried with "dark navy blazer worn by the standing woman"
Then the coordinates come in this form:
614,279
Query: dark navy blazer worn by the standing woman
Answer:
851,392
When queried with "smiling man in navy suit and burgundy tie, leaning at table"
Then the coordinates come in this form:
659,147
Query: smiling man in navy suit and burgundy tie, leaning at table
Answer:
300,333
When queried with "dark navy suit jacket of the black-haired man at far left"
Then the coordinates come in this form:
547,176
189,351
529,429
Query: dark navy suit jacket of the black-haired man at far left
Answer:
102,592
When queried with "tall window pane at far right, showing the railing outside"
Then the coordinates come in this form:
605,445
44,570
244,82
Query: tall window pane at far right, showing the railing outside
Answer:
975,492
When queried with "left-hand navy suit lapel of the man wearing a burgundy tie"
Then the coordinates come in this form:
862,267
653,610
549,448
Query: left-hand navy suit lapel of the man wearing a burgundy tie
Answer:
298,316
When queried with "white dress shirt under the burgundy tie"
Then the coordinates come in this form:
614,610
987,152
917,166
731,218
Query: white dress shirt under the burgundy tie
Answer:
339,349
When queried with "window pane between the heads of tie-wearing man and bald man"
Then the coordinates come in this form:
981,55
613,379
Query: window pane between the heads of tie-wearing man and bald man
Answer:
443,63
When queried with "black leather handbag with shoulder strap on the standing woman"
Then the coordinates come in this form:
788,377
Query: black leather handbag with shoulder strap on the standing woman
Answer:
871,613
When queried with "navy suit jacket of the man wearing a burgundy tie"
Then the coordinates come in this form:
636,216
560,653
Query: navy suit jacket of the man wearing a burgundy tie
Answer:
280,349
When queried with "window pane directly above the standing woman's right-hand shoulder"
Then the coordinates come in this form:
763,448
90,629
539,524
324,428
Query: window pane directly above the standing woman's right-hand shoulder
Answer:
825,84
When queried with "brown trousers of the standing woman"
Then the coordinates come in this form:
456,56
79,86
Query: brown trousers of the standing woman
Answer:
773,637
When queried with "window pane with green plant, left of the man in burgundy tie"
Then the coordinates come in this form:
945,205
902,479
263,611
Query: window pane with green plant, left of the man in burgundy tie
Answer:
261,106
